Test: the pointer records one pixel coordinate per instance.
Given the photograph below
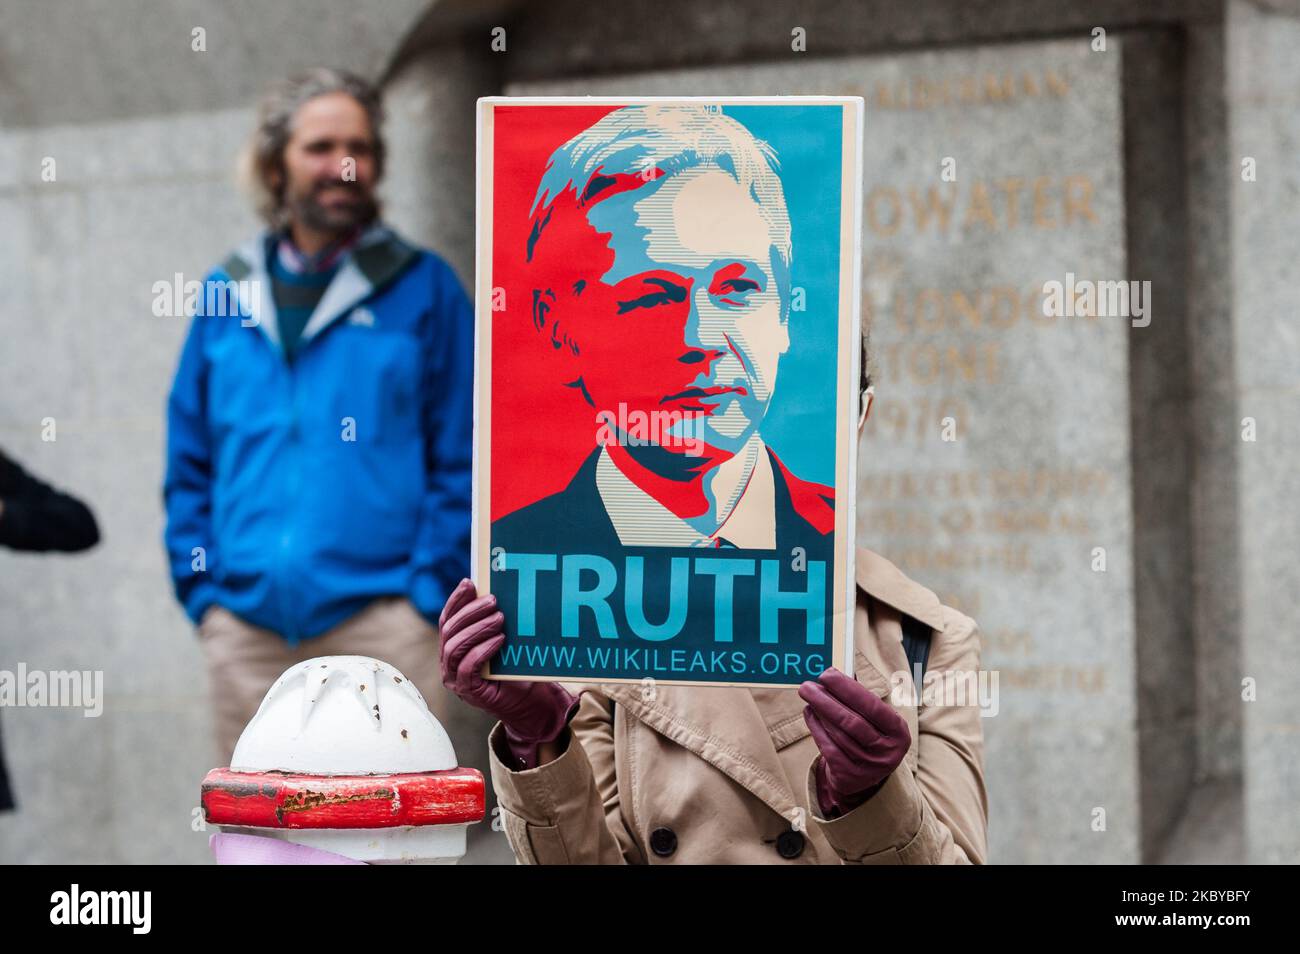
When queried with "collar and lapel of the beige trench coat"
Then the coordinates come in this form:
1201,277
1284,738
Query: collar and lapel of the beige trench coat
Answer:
740,730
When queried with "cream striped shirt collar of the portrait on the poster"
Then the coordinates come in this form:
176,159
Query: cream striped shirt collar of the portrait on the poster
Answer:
640,521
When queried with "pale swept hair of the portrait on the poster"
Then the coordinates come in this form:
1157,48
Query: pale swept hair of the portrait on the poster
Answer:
670,138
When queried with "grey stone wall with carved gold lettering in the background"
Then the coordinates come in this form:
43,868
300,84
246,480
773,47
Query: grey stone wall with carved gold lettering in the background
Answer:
1123,690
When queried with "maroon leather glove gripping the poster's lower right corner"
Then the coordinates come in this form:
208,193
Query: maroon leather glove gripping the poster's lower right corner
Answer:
863,739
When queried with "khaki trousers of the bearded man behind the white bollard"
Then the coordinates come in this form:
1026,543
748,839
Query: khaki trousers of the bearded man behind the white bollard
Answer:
245,661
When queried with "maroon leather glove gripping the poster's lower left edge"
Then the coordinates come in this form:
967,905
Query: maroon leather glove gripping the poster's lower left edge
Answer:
531,713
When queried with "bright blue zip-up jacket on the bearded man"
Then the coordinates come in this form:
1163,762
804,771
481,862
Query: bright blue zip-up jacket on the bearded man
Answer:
300,492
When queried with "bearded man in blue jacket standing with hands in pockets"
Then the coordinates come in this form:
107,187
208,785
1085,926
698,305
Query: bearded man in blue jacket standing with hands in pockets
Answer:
319,427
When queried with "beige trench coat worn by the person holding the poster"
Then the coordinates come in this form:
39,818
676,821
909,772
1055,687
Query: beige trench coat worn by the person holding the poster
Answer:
725,775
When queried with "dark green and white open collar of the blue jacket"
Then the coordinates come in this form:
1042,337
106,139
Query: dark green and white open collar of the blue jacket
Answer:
379,257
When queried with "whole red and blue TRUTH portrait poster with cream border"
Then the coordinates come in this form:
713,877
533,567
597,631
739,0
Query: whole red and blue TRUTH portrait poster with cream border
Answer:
666,388
